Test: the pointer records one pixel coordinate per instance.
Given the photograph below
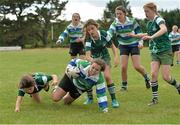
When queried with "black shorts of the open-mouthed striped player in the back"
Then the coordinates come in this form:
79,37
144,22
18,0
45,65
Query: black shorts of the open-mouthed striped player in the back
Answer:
76,48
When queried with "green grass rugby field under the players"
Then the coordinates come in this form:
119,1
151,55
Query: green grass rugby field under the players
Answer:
133,104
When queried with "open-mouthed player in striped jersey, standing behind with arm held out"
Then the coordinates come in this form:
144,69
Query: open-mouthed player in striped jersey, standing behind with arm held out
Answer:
75,33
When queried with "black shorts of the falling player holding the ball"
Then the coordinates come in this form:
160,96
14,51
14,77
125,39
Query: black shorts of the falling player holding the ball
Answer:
67,85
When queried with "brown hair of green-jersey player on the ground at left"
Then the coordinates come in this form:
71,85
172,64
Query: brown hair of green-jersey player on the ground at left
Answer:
26,82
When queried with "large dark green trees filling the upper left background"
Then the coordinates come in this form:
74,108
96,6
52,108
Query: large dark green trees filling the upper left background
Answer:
32,19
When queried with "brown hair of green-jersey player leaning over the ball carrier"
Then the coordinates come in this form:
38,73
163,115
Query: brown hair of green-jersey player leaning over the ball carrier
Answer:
89,22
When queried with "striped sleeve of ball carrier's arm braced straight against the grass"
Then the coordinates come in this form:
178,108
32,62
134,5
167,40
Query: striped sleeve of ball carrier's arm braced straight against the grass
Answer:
101,92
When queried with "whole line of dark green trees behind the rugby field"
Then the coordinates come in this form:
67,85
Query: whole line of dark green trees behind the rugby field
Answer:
35,19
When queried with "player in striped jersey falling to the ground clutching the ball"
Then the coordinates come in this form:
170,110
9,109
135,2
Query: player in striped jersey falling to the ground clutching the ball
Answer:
81,76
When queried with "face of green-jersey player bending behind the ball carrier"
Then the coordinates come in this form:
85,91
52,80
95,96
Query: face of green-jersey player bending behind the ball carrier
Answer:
92,30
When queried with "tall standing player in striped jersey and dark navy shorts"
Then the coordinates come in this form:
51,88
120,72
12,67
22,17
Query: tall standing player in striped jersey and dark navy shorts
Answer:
123,27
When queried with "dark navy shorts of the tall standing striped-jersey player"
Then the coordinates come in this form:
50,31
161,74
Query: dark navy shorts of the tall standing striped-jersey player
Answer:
126,50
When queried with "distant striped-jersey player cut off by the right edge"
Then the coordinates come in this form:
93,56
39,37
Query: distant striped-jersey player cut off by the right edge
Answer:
174,36
